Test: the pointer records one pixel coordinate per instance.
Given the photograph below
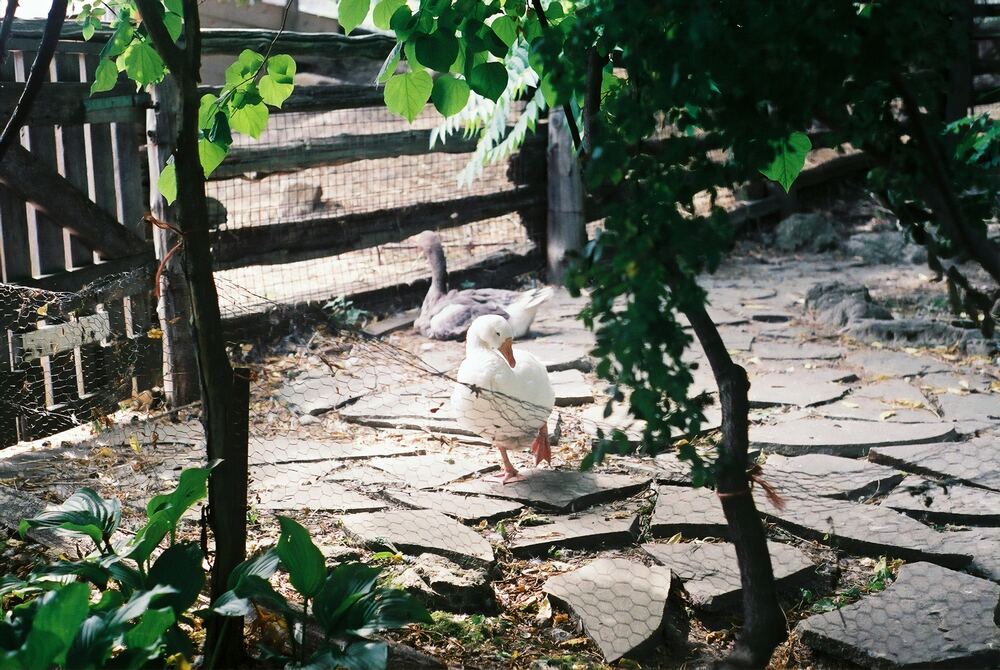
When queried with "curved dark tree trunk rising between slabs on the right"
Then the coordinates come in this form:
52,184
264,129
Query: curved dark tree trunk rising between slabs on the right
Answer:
764,624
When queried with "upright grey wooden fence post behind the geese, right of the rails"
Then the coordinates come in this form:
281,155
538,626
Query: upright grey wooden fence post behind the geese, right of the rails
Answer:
566,229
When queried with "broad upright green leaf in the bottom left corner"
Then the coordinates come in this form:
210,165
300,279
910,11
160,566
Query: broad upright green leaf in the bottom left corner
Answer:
54,626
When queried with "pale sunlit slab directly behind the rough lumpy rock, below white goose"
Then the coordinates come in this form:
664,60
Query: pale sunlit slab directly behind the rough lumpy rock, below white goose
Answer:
419,531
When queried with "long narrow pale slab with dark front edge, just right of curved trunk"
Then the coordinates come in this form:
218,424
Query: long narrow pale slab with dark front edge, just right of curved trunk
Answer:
843,437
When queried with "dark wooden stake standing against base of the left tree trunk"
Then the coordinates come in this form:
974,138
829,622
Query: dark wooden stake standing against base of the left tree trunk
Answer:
227,494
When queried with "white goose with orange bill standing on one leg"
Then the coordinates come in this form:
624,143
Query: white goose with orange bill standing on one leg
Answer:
503,394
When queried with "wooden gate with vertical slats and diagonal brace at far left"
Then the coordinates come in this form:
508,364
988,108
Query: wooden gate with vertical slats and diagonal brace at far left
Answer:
72,198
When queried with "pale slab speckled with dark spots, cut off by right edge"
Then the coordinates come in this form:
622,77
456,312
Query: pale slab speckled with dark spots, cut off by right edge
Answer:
929,501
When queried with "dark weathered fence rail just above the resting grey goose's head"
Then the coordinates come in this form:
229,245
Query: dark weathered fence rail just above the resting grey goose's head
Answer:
288,242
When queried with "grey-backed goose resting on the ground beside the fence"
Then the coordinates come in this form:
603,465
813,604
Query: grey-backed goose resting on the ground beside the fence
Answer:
446,315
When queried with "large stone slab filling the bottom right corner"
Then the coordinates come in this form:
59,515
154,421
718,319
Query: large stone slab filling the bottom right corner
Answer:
929,617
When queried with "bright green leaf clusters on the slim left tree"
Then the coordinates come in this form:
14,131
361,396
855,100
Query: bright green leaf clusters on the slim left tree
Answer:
253,83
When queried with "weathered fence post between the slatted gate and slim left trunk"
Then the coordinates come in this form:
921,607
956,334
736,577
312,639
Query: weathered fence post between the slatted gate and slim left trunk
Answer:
180,374
